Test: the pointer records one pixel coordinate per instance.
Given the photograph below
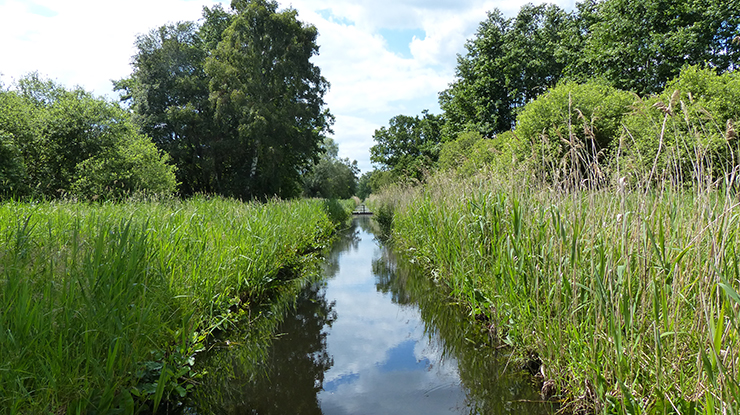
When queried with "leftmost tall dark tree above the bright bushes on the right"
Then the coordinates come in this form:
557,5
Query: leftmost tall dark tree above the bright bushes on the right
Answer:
508,63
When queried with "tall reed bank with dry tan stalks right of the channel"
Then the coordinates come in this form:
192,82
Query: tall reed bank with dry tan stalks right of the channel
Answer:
629,300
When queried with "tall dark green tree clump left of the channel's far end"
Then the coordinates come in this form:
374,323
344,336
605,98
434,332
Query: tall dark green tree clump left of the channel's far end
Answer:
236,101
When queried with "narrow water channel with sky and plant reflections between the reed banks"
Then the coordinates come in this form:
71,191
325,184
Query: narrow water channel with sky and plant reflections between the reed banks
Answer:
374,337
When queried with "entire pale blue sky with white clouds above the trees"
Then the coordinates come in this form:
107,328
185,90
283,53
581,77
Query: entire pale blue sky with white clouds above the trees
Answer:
382,57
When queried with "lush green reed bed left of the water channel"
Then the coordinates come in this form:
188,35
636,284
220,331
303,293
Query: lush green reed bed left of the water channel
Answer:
104,307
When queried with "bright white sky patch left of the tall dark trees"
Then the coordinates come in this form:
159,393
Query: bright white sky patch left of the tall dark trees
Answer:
81,42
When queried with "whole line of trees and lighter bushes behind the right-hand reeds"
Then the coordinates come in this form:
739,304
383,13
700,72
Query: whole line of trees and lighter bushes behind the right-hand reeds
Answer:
615,91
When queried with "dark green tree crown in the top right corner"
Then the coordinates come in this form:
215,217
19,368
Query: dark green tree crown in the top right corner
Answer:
639,45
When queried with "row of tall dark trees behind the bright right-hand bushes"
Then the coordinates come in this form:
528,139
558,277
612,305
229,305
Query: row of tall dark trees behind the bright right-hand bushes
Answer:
633,45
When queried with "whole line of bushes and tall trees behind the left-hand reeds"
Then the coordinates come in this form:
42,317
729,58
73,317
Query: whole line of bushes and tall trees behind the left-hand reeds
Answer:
229,106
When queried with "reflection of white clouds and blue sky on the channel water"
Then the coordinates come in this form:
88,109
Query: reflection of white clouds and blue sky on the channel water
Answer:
382,349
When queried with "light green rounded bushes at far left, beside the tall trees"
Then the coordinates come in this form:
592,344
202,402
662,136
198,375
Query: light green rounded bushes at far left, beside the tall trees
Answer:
55,142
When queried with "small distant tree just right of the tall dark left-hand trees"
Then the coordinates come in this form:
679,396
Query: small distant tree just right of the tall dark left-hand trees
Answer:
332,177
